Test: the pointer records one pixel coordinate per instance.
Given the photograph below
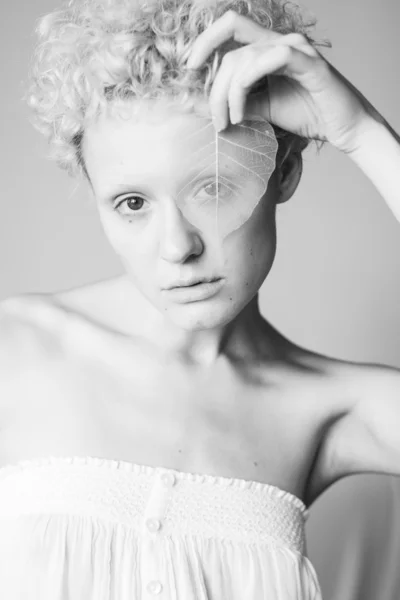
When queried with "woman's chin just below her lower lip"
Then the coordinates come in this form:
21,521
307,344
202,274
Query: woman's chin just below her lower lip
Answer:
206,314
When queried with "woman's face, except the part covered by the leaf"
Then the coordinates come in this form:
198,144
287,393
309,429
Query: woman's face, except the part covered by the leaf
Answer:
137,167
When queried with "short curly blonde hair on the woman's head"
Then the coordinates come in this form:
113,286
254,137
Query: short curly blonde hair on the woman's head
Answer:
91,52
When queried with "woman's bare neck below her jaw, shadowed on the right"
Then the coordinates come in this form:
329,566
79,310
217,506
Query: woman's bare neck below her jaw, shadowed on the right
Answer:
248,337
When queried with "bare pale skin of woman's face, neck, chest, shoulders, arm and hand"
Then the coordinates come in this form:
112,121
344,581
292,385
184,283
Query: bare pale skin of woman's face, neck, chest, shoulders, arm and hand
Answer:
205,386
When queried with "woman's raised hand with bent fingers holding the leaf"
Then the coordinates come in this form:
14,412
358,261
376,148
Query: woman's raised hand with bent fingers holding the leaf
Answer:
305,95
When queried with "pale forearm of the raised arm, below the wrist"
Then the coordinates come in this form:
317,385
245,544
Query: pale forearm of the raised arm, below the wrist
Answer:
378,156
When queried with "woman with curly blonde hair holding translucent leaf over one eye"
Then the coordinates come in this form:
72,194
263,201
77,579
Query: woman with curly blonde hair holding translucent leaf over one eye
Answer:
155,470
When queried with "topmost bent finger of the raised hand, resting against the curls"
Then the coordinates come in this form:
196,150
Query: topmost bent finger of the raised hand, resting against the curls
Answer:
231,24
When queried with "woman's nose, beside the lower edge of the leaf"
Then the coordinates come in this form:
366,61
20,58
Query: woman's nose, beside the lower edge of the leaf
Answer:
179,239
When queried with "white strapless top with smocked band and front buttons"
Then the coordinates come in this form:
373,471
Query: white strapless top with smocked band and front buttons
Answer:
86,528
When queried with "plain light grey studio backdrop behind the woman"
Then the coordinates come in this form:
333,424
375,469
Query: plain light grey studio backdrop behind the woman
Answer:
334,287
